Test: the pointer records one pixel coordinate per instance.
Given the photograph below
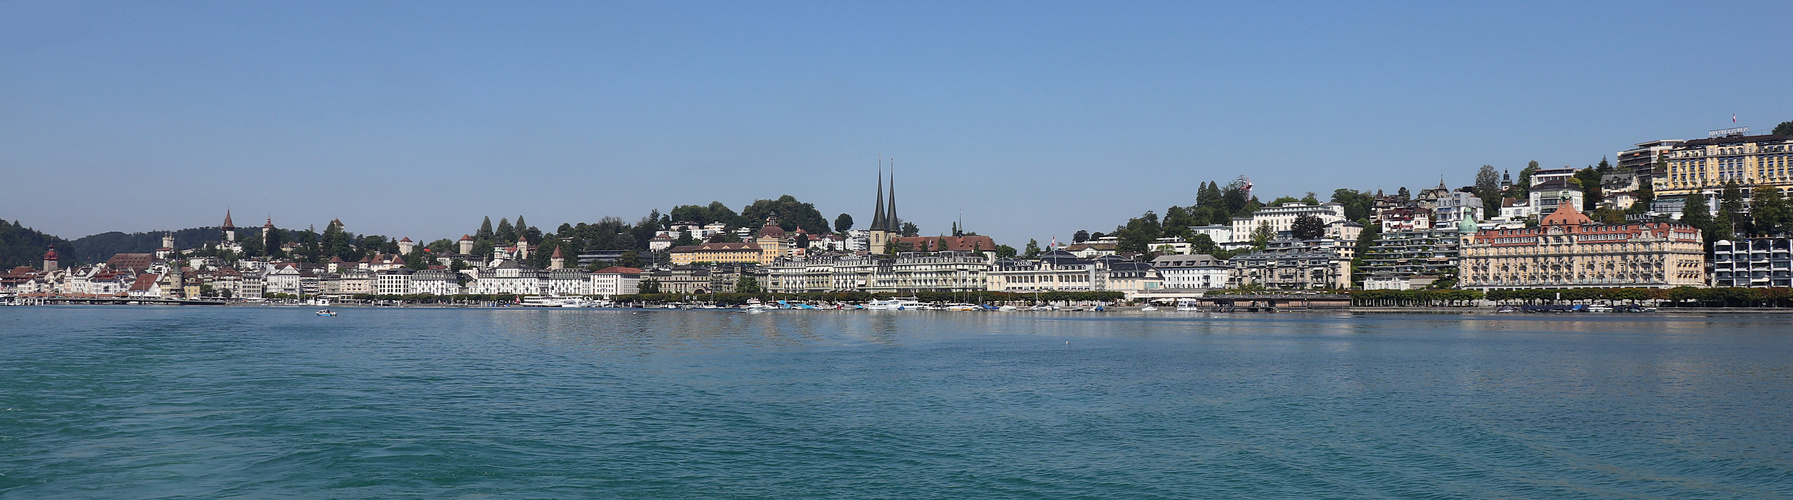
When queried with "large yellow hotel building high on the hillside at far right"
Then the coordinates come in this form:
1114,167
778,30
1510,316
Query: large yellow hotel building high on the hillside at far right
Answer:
1713,162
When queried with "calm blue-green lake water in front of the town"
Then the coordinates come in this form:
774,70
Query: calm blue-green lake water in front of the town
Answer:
528,404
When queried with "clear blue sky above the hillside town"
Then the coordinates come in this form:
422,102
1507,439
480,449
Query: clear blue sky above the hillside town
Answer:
1032,119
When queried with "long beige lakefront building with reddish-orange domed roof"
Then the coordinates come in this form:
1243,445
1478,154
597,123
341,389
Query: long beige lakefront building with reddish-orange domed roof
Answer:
1570,252
